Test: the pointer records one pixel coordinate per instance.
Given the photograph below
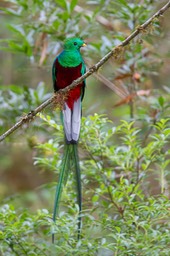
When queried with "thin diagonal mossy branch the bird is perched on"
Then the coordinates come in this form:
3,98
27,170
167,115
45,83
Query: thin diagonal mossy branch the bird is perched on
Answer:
114,52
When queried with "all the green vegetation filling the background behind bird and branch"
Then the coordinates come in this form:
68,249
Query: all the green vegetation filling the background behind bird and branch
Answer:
125,136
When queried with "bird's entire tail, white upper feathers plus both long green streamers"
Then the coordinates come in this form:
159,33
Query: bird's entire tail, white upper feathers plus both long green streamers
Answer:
71,122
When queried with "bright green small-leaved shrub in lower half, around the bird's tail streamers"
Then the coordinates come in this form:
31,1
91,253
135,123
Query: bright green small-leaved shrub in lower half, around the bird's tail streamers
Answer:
120,214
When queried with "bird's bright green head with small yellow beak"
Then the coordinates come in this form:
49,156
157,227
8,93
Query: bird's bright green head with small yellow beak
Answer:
74,43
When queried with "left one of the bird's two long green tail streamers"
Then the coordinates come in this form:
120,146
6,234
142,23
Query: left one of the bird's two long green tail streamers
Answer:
62,181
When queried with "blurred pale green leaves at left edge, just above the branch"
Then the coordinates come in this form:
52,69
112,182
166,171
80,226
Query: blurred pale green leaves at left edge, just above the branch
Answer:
15,100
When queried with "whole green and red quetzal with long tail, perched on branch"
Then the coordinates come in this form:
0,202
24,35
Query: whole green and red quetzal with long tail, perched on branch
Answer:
67,67
